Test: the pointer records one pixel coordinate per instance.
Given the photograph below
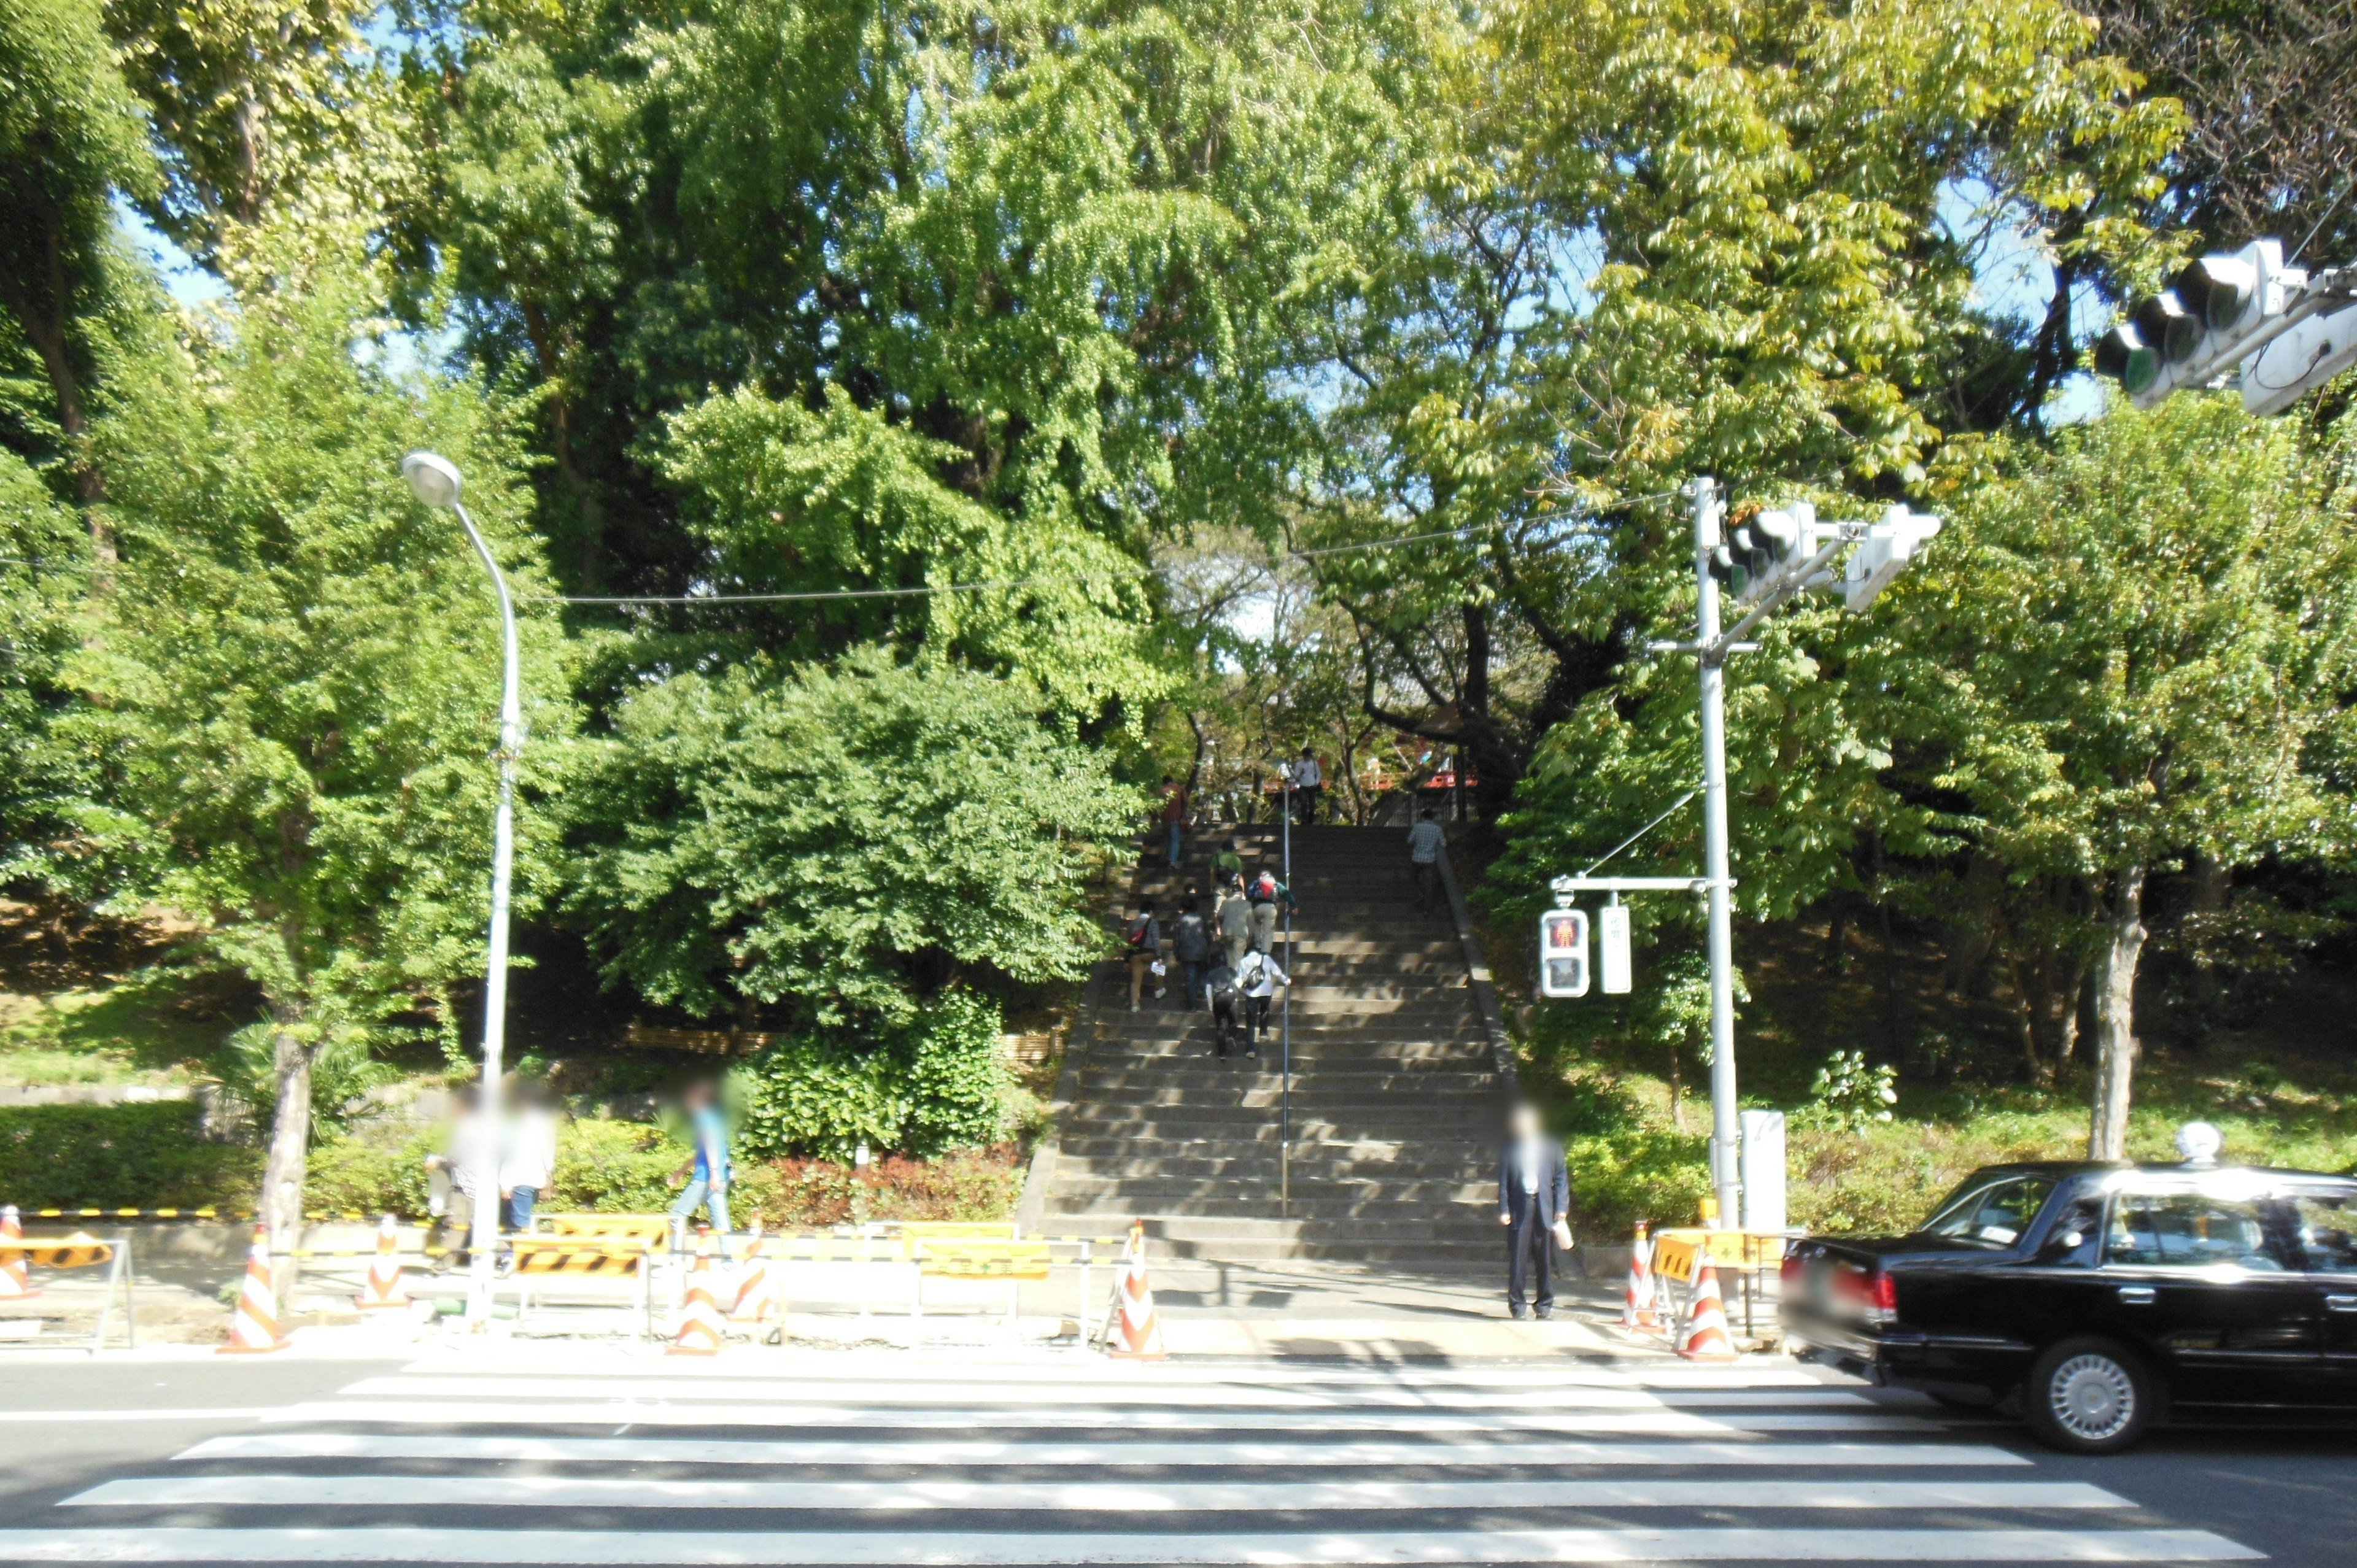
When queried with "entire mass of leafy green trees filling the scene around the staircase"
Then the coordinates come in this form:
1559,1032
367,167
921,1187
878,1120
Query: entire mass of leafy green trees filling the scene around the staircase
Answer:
913,407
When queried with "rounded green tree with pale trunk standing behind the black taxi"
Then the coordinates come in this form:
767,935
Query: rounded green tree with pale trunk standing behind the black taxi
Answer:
2130,657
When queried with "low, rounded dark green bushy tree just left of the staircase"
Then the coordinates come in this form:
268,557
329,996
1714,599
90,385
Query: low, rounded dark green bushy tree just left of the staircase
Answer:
840,843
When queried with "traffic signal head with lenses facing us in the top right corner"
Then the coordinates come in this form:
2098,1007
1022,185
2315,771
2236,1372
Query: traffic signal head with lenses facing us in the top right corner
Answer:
2212,315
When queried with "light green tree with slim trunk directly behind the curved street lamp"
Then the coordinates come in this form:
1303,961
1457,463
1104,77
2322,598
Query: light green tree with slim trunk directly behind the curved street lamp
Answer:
298,683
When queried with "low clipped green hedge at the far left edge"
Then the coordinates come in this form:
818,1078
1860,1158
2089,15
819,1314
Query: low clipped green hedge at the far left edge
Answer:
121,1157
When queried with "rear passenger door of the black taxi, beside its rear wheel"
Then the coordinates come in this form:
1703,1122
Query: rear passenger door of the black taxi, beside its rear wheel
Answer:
2205,1282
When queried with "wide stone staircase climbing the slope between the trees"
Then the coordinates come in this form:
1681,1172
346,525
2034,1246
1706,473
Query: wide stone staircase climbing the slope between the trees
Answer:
1394,1088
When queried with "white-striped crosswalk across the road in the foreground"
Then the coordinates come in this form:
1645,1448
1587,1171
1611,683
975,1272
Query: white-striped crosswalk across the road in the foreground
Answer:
612,1458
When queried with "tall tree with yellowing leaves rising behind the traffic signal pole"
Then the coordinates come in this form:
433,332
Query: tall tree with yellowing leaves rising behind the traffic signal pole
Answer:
1665,239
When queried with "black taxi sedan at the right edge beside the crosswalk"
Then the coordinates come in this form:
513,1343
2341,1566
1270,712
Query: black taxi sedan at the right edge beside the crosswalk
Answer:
2106,1298
